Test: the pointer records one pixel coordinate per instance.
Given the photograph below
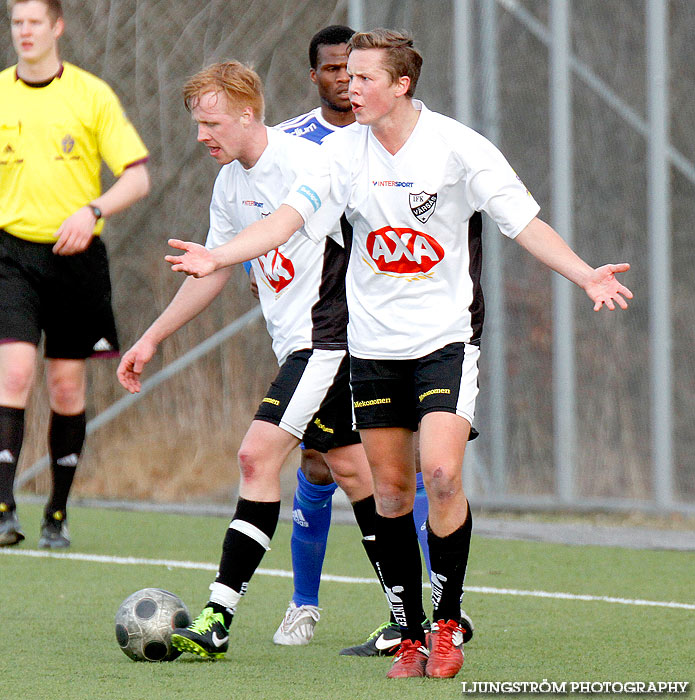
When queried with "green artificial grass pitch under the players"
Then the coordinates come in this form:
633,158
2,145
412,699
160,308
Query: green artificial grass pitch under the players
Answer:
57,636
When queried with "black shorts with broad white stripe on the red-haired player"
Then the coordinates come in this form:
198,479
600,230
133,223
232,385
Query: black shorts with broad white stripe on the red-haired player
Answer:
310,399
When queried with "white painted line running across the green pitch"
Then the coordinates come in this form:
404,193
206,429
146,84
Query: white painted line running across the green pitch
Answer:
281,573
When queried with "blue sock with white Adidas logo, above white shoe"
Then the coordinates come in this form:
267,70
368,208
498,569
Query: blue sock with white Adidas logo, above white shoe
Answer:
311,519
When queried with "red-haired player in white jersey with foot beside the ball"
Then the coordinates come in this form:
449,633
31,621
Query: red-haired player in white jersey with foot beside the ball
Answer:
302,293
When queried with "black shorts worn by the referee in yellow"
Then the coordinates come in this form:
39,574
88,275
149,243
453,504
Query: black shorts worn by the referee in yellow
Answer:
67,297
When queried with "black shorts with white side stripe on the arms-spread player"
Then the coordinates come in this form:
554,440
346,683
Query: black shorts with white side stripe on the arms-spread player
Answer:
398,393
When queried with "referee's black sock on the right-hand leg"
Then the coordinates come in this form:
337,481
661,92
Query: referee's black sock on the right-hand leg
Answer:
65,440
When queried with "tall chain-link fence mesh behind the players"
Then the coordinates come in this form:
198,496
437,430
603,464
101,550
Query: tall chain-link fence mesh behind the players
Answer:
180,442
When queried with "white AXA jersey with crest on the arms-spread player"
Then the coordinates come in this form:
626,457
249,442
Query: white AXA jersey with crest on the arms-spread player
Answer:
413,282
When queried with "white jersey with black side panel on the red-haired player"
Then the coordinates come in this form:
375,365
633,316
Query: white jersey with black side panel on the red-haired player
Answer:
300,284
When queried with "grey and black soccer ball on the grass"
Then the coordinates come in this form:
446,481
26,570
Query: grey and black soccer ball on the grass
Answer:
145,621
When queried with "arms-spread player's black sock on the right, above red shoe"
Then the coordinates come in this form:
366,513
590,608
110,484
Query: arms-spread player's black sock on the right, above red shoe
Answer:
448,558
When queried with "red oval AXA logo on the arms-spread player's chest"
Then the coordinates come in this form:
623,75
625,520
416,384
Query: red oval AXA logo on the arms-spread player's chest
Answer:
403,250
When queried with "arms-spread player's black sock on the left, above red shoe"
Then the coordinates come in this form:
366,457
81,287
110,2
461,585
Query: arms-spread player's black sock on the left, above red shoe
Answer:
401,572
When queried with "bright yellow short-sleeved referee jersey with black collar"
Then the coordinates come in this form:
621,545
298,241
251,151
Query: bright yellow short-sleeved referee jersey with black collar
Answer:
52,142
